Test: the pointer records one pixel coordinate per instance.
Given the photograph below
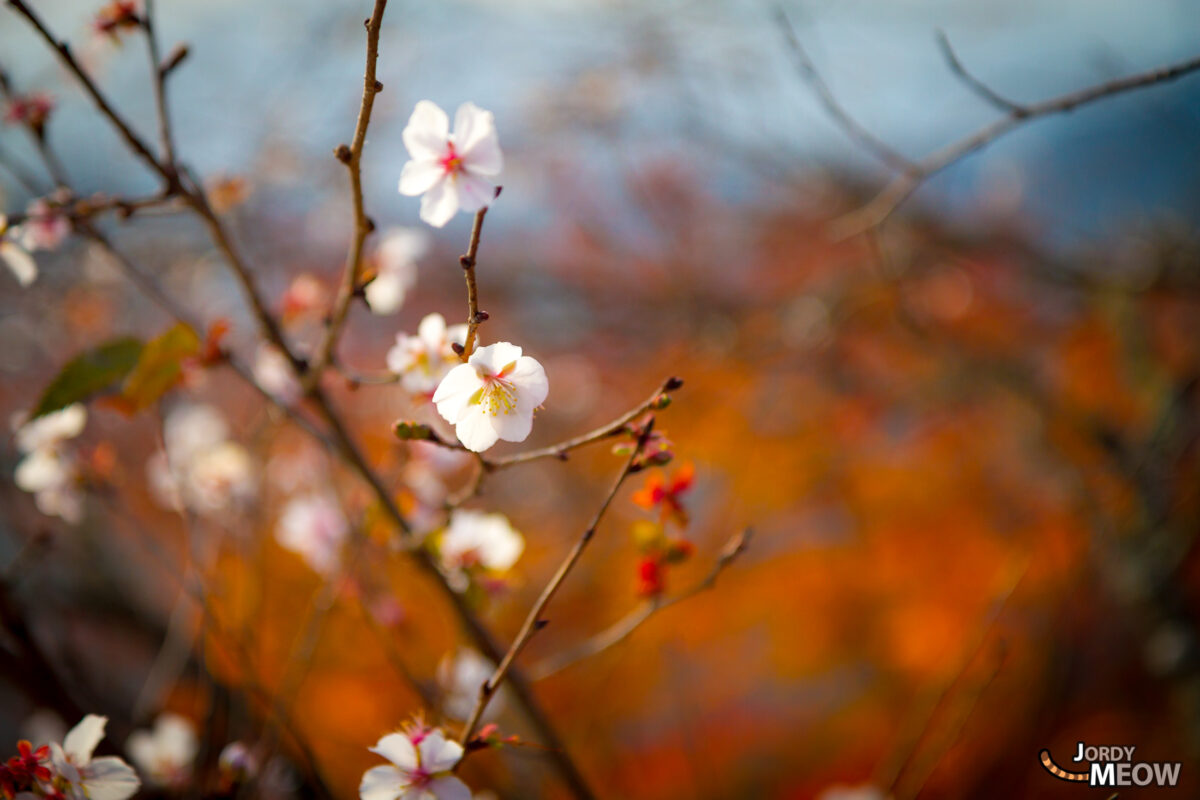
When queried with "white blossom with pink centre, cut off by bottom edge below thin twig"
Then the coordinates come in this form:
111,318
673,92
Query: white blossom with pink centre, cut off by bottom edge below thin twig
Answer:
422,763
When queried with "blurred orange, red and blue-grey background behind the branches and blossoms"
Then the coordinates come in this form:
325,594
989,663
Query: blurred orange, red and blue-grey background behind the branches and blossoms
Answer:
967,444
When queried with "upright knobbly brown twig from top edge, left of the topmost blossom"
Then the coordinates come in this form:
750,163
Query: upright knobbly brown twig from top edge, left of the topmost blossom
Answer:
352,158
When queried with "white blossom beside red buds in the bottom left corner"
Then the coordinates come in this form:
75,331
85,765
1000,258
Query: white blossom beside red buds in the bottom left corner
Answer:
80,777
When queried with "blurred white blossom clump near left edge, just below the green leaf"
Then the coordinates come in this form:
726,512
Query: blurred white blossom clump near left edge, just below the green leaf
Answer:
49,471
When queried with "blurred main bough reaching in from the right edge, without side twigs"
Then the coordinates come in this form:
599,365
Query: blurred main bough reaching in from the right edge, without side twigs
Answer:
878,212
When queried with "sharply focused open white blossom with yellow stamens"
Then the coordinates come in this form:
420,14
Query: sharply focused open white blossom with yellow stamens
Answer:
493,396
